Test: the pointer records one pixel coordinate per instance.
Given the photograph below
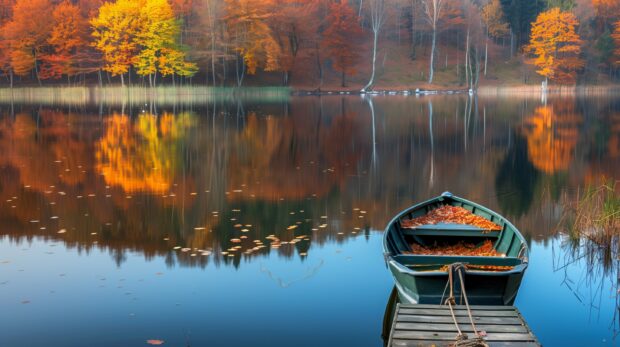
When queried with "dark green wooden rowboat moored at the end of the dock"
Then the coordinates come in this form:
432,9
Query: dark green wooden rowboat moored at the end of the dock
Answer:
422,278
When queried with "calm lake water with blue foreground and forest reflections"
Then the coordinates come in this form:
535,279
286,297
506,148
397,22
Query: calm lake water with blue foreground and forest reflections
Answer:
259,224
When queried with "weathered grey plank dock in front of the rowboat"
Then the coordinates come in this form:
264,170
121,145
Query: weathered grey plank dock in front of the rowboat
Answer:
432,325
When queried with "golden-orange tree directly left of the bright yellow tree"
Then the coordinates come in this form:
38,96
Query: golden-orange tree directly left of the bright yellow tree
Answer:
115,29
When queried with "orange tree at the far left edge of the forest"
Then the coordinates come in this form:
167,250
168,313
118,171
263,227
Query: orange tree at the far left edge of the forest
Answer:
28,37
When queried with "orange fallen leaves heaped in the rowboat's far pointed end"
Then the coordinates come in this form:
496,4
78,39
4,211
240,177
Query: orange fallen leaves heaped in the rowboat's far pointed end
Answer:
450,214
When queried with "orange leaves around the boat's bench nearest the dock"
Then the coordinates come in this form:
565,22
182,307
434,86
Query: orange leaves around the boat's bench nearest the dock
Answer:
464,249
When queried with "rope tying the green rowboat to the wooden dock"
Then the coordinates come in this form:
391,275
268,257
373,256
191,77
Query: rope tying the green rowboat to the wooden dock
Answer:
462,340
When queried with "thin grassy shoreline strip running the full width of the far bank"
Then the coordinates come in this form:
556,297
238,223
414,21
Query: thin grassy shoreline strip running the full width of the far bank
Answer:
173,95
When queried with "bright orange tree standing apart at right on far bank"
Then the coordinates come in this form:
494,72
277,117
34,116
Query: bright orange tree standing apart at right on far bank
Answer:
556,46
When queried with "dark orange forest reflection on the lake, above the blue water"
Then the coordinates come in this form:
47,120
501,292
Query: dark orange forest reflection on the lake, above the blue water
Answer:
233,181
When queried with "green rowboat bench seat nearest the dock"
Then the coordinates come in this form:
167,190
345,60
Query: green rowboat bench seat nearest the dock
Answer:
413,259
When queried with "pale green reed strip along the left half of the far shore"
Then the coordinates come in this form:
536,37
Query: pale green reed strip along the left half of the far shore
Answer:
135,95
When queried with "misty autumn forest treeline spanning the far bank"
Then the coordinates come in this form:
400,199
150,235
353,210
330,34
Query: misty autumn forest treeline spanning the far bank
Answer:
298,41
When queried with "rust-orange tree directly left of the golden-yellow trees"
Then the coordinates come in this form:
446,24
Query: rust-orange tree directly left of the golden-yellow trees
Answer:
67,40
